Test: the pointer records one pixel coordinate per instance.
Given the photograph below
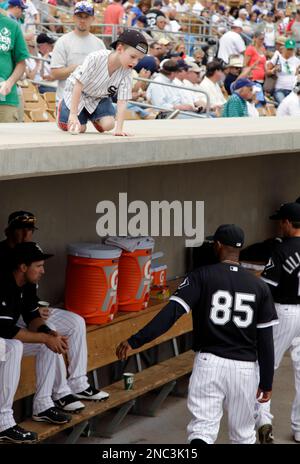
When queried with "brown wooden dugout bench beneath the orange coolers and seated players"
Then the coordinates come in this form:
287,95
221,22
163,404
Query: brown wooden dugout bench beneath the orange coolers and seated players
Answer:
102,341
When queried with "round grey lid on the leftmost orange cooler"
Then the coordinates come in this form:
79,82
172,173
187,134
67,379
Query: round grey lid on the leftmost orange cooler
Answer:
93,250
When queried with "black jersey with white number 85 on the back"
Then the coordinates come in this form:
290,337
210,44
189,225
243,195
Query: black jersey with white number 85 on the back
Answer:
228,305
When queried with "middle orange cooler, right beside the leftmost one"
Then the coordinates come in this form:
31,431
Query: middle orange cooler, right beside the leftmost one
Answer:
135,277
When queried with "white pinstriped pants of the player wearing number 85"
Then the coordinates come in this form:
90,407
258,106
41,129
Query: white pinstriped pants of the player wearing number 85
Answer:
216,382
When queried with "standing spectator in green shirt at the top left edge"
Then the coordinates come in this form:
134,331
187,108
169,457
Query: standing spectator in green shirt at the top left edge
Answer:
13,52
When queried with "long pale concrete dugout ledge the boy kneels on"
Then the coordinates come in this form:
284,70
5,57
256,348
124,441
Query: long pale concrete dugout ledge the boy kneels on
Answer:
41,149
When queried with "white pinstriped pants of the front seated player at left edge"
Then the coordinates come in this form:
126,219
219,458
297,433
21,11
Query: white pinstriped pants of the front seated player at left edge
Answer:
10,375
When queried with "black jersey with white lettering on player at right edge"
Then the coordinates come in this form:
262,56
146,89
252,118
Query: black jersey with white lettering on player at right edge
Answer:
282,272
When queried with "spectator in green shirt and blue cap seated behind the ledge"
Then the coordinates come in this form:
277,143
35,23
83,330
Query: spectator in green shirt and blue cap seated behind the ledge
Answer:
236,106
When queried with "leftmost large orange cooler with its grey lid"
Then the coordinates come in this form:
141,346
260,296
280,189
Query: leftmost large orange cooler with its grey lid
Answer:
91,281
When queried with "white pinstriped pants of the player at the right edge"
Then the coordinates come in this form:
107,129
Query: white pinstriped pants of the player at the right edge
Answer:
285,336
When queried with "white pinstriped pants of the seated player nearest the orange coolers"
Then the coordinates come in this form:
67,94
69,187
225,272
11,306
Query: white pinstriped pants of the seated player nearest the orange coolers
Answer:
72,326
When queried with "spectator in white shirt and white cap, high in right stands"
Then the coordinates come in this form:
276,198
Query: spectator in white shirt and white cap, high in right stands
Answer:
231,43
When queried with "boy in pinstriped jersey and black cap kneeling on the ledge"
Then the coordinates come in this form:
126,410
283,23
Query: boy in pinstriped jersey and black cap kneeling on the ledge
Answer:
89,90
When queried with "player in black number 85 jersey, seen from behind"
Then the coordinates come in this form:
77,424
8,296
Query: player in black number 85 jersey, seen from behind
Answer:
233,316
